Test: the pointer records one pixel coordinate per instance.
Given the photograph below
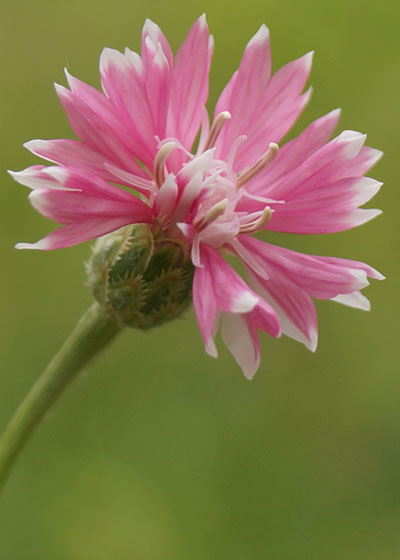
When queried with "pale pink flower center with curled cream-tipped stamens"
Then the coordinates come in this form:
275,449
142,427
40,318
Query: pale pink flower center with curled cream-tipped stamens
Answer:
206,194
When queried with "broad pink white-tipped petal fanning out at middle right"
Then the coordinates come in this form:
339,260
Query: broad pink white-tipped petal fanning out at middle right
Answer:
321,194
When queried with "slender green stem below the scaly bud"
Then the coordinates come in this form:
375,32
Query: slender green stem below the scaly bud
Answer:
90,336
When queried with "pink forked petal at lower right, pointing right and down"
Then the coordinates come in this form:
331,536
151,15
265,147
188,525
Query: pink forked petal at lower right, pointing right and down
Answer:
293,277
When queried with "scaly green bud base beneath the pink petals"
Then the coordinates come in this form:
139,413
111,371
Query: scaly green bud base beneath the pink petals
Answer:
141,278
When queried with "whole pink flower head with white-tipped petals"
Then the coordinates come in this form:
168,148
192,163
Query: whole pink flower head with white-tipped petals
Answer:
140,133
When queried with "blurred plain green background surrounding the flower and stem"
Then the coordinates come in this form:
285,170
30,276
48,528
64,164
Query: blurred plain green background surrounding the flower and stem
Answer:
158,451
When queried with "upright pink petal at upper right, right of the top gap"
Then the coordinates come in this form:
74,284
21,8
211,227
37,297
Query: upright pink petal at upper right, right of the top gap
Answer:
278,105
